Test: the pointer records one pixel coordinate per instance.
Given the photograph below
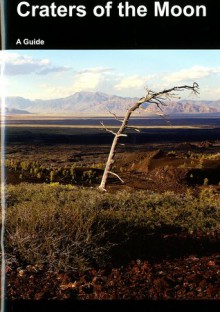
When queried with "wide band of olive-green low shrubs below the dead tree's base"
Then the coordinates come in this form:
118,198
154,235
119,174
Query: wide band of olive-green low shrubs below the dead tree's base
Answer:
66,227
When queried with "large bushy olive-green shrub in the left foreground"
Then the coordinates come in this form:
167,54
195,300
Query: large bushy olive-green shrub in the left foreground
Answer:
46,225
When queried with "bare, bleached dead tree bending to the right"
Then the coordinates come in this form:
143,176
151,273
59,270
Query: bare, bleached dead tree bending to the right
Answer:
157,98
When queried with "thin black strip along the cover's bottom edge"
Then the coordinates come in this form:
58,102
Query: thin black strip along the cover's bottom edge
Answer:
122,305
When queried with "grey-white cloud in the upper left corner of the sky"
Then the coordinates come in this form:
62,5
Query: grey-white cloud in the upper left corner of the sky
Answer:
16,64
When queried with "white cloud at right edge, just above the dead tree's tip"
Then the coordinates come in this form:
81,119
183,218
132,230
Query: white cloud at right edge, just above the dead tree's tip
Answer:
193,73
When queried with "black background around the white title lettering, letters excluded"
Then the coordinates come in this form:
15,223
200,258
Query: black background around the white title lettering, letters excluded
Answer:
113,32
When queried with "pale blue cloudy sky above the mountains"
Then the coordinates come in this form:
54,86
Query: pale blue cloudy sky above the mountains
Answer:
49,74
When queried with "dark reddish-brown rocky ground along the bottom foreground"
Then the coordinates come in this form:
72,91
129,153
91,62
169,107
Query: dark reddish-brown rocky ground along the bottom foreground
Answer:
188,277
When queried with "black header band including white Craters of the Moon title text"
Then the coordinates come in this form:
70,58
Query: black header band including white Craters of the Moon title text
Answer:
103,24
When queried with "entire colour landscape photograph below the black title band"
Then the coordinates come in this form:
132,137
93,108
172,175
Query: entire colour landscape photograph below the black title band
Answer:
112,174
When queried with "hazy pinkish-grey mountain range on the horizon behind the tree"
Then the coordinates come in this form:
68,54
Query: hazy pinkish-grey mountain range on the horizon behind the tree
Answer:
98,103
